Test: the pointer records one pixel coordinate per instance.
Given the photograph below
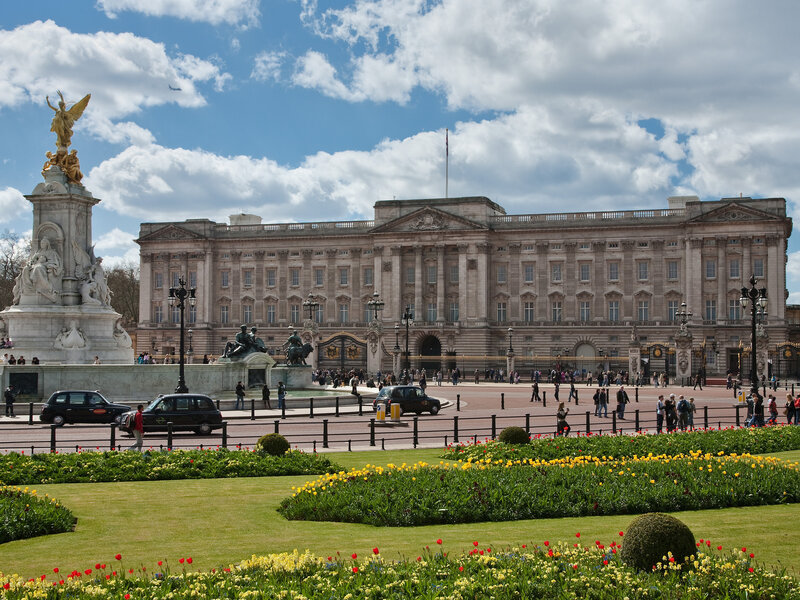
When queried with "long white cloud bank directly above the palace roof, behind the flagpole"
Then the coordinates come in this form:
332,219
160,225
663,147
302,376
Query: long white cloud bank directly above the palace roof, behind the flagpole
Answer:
545,161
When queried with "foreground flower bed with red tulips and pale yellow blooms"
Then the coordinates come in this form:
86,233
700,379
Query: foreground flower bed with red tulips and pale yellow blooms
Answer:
542,571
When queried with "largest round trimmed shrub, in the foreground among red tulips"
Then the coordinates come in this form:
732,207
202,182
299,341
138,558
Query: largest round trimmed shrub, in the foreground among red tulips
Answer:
650,537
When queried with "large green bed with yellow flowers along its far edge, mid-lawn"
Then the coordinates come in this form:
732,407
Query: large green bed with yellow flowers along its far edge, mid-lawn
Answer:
477,491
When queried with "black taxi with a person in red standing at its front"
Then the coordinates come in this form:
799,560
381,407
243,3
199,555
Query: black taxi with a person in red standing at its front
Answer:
186,412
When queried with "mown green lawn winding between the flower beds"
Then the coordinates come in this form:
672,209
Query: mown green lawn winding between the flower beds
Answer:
221,521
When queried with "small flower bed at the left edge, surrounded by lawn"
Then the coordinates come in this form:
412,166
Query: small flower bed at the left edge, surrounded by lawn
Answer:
23,515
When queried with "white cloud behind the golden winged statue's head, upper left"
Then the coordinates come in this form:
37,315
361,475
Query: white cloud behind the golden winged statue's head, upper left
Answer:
124,73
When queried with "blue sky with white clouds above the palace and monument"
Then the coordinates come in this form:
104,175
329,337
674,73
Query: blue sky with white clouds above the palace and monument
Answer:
303,110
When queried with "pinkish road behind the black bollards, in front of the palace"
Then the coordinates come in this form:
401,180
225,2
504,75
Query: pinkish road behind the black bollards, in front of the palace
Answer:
472,412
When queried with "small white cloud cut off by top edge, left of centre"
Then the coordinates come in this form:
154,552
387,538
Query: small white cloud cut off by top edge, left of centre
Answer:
244,13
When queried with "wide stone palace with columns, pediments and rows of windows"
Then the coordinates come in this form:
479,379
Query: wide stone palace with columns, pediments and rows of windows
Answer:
583,290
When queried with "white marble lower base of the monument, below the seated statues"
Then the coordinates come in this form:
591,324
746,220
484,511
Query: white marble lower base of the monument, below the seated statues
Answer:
66,334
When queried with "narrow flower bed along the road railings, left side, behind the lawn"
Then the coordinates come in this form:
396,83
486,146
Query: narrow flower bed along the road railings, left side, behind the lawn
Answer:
20,469
